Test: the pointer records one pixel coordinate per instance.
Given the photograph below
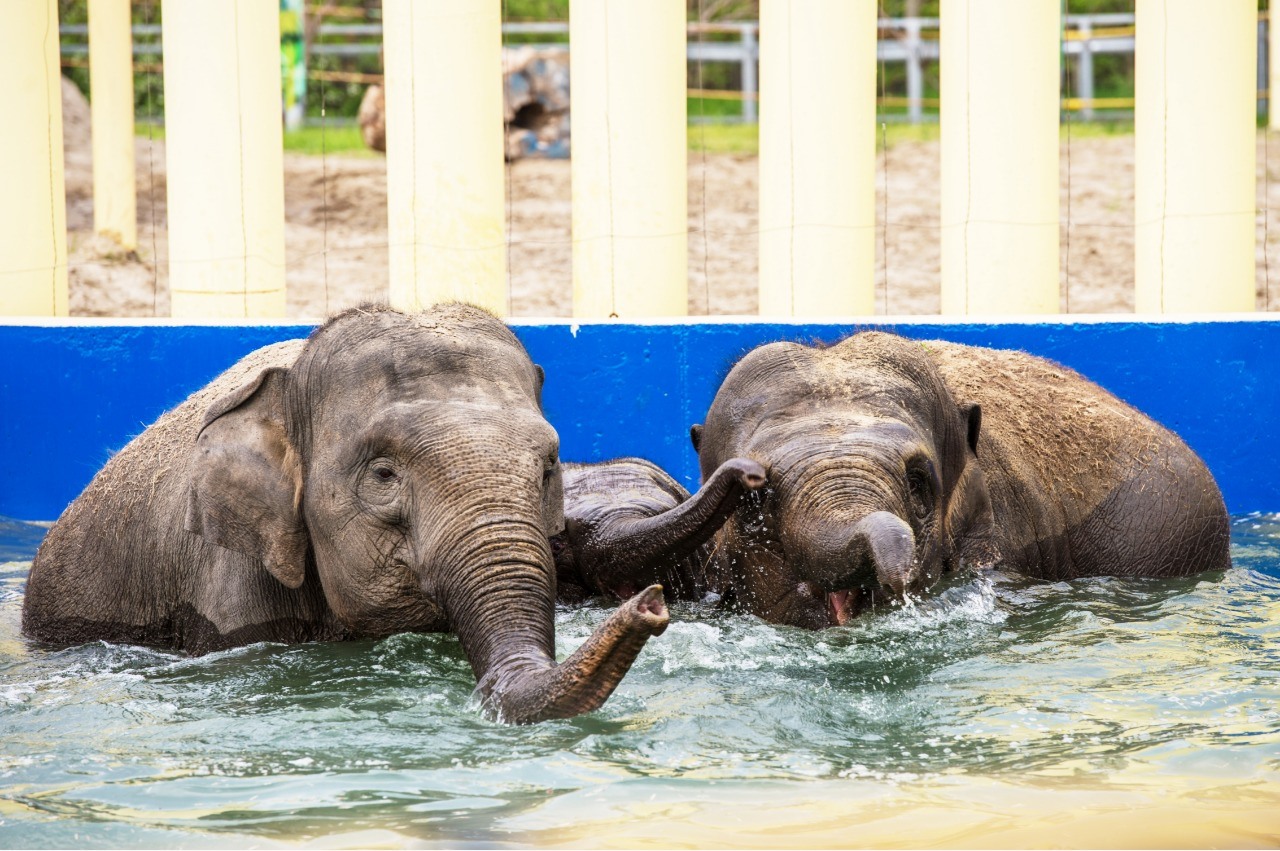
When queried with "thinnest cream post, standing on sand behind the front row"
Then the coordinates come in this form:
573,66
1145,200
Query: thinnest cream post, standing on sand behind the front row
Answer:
111,72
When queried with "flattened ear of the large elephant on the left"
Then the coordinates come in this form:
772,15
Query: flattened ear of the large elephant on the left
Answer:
246,482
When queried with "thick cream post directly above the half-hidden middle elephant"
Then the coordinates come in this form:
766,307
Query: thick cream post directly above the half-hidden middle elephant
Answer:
628,88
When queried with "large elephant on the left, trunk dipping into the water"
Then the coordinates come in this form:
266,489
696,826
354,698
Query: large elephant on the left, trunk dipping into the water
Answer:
392,473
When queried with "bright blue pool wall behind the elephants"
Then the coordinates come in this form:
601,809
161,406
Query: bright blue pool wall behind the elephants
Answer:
76,391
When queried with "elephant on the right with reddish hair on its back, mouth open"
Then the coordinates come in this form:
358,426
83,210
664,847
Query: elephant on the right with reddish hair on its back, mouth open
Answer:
892,461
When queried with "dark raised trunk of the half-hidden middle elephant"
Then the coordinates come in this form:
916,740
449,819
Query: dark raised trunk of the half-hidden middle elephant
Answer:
624,545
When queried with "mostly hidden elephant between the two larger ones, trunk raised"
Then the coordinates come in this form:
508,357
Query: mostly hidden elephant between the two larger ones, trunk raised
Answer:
630,525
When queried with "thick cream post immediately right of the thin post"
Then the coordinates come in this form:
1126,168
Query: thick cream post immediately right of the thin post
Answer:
225,157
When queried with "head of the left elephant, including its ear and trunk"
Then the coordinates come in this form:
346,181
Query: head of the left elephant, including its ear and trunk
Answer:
404,464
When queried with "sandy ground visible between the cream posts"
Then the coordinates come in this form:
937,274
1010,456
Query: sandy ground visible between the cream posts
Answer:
336,232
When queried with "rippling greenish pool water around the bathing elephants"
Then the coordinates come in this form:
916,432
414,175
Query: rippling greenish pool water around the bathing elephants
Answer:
999,712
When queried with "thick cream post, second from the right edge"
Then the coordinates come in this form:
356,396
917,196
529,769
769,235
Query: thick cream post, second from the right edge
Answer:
1000,149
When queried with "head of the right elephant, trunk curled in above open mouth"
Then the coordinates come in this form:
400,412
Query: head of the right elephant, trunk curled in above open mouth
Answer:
875,487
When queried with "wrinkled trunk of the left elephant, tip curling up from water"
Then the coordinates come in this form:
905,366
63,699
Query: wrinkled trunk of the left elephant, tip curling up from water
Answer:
502,608
